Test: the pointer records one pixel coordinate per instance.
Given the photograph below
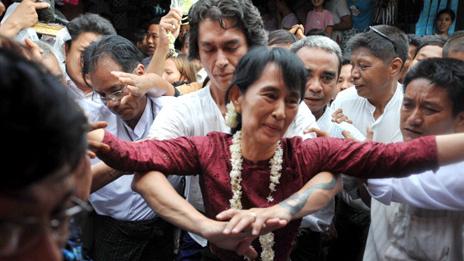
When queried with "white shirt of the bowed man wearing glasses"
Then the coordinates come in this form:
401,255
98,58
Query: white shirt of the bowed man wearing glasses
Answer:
117,199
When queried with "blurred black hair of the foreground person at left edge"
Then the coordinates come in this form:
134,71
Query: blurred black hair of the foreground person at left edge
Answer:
42,126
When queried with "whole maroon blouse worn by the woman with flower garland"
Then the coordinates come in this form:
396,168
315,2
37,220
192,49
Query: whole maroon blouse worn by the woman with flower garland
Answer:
210,157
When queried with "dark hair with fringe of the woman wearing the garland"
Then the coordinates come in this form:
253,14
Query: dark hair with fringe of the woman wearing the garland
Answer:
252,65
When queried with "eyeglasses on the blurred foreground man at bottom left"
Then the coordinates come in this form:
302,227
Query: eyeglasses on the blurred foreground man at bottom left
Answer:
16,235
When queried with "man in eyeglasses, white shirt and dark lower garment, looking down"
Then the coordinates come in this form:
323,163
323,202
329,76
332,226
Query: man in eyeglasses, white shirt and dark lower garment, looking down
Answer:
125,227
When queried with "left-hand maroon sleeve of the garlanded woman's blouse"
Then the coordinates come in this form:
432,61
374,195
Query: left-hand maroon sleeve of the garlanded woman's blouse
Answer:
178,155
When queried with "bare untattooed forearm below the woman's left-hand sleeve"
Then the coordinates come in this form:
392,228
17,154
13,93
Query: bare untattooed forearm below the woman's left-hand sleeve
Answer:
165,201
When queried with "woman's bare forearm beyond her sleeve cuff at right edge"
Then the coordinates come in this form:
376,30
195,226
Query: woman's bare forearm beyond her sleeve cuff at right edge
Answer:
450,148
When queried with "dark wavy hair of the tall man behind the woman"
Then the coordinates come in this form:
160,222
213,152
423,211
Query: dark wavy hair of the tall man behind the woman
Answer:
242,12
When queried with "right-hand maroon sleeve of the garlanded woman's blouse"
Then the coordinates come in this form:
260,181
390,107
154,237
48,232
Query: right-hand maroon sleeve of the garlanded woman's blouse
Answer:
370,159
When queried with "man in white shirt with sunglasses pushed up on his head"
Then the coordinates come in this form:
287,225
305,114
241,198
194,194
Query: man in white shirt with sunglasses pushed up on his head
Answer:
377,57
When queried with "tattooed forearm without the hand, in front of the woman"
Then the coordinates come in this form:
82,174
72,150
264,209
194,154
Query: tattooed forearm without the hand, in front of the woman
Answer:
316,194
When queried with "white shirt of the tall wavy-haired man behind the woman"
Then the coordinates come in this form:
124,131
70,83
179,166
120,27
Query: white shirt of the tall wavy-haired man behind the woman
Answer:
197,114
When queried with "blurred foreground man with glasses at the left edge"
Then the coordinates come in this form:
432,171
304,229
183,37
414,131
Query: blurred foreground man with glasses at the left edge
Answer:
49,139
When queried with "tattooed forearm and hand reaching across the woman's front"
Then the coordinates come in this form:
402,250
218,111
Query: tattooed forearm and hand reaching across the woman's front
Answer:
314,195
